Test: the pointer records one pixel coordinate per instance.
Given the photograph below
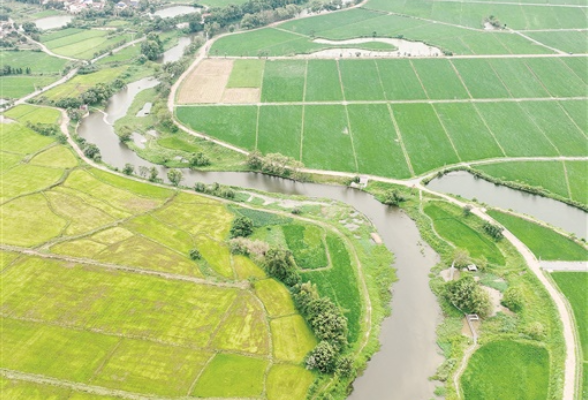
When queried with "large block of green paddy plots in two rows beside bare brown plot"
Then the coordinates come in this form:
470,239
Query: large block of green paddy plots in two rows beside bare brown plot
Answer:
307,106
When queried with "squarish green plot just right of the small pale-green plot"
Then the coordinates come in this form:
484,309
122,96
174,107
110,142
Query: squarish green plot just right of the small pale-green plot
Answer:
283,81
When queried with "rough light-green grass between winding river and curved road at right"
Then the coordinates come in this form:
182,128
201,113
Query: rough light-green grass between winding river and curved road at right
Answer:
537,322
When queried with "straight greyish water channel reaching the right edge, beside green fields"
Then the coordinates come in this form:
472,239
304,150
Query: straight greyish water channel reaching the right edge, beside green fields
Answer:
556,213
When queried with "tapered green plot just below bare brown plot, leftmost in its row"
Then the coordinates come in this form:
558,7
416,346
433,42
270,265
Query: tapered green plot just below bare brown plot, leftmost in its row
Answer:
232,124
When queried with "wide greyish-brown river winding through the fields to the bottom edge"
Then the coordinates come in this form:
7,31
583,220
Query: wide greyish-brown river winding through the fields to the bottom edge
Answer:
409,354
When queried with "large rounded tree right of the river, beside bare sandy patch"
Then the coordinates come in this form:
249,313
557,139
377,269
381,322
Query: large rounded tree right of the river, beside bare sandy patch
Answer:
466,295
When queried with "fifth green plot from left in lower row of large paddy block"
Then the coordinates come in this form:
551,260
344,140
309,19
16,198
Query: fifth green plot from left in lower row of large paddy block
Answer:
426,142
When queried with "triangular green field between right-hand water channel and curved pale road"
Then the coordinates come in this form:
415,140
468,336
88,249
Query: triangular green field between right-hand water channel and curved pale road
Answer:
543,242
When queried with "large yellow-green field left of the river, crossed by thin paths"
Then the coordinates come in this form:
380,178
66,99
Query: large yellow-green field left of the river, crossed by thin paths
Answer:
98,289
